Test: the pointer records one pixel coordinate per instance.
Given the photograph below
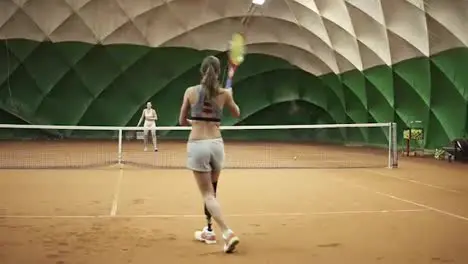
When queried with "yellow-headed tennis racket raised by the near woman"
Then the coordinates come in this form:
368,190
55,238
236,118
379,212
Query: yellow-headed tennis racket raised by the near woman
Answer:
236,56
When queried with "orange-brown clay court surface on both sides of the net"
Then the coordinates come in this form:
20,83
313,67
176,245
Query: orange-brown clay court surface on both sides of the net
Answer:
417,213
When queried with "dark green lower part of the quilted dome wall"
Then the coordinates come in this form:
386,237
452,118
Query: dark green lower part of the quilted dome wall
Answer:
109,85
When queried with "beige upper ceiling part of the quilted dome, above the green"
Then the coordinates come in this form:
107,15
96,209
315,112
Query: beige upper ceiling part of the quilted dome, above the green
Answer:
343,35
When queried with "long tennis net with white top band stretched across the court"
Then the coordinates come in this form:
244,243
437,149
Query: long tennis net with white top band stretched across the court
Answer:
271,146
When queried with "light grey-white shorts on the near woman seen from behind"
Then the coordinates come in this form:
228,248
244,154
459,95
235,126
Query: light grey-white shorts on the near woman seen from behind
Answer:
205,155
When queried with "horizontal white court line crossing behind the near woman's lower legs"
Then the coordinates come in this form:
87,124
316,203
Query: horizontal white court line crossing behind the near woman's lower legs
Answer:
201,216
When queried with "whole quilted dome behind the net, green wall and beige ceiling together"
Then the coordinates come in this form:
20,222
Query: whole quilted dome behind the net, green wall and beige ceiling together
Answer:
341,61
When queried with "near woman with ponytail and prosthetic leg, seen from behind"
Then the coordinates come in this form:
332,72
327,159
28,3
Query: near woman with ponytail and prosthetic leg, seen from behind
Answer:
205,147
